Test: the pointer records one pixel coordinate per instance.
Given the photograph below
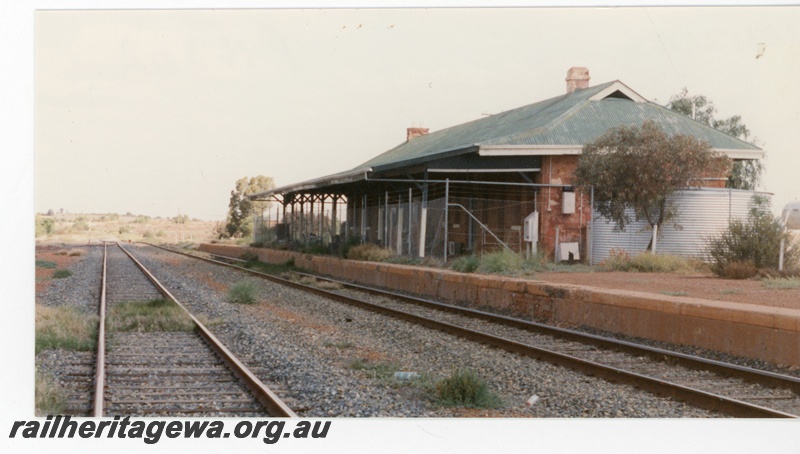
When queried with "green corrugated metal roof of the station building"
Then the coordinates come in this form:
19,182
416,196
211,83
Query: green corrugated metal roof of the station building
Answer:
571,119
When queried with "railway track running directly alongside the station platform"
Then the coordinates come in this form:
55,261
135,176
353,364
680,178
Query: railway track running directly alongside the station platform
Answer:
727,388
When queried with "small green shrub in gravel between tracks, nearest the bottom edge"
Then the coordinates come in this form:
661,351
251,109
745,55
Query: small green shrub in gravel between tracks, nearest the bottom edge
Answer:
464,388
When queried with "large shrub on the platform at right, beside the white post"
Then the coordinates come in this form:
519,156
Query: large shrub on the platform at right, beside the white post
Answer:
756,240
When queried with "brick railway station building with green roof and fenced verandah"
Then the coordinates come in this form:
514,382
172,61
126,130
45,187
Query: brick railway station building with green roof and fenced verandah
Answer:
504,181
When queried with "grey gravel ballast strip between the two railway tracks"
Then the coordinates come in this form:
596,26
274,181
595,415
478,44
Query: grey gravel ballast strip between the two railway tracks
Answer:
331,359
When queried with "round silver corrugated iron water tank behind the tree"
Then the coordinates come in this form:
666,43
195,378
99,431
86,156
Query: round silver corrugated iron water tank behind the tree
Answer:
702,214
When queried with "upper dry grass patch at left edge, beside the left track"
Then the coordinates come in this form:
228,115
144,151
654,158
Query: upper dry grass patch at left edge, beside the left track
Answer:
65,327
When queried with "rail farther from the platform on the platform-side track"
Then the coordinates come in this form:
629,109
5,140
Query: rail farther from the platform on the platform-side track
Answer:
656,386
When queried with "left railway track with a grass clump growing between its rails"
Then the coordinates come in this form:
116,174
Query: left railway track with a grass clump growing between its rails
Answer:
161,373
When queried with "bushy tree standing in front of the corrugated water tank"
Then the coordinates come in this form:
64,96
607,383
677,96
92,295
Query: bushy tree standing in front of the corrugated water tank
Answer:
638,167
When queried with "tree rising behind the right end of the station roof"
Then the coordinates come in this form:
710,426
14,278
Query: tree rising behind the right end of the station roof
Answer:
745,174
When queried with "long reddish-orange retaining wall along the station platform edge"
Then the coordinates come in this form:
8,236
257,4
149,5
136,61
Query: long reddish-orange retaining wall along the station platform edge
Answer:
758,331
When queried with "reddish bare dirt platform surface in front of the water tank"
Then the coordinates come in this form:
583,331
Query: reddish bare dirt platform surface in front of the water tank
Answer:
687,285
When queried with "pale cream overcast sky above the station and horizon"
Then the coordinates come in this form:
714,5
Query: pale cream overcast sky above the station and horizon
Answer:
159,112
